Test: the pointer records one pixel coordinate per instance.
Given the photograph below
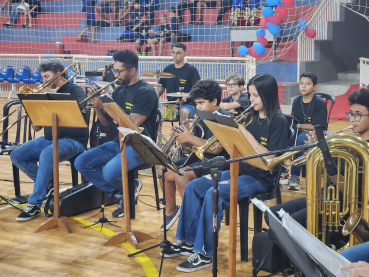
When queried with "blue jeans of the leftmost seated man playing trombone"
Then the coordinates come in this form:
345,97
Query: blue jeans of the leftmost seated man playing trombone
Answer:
41,150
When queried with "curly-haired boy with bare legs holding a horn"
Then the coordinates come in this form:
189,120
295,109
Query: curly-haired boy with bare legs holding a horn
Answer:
207,95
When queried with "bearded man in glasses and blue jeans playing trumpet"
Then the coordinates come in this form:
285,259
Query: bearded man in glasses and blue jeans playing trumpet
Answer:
102,165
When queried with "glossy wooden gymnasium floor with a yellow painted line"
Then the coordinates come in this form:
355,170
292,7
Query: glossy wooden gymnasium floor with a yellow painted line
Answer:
55,253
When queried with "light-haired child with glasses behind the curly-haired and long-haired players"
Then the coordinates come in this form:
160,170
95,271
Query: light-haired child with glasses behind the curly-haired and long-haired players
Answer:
237,101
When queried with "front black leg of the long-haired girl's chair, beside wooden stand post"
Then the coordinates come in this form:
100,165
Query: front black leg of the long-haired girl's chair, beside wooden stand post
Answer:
244,220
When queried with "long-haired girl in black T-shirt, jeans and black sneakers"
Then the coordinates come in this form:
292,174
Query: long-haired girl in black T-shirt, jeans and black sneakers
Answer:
268,131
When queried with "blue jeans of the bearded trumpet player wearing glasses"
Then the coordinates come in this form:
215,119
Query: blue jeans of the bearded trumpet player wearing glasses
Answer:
108,179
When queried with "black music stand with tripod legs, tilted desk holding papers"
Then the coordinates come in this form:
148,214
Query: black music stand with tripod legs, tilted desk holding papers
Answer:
150,153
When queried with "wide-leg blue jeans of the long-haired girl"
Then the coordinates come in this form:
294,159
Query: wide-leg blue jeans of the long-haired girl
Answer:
196,218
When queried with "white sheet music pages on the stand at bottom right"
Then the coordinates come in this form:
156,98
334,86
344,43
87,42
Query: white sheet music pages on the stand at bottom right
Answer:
296,240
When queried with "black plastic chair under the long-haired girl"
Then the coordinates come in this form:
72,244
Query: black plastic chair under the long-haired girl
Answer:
243,206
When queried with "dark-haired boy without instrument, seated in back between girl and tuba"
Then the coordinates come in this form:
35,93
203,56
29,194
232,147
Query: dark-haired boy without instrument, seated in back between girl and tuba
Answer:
309,109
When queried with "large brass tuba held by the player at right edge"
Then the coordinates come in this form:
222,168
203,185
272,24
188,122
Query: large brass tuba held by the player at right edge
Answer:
323,199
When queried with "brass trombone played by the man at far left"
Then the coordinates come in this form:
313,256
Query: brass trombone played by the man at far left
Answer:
27,90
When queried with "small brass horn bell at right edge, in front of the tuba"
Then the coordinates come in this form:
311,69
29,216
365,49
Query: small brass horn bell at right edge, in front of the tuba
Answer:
357,226
